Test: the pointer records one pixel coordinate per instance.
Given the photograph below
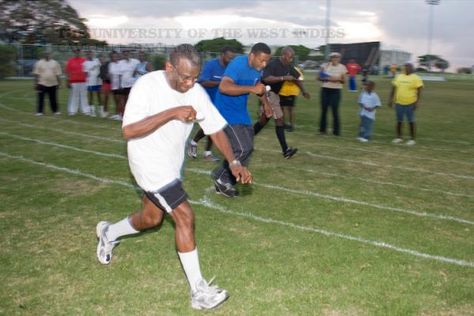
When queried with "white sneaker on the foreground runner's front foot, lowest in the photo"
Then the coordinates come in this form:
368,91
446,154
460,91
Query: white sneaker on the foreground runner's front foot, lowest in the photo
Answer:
207,296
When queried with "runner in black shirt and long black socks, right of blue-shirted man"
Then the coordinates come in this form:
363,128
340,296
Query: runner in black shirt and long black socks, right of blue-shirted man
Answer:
275,74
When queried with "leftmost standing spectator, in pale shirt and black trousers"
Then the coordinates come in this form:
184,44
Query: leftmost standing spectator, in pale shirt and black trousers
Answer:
47,81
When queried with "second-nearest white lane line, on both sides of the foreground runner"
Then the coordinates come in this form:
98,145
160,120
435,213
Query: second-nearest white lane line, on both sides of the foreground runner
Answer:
307,193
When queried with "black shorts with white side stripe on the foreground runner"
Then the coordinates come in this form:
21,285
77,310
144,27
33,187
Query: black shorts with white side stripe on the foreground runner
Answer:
168,197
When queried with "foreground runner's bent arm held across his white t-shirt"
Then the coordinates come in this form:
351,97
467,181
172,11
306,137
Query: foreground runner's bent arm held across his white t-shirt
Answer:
184,113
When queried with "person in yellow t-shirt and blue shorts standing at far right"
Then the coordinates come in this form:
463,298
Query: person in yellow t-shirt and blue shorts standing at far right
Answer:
406,92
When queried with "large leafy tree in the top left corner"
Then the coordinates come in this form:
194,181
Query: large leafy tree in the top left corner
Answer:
41,22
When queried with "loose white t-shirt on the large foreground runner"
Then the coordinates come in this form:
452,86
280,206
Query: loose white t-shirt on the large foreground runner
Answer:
157,158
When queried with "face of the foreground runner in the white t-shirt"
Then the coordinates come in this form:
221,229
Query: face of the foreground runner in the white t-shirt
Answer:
183,75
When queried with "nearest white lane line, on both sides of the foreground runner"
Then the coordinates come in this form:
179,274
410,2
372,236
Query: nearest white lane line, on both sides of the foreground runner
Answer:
205,202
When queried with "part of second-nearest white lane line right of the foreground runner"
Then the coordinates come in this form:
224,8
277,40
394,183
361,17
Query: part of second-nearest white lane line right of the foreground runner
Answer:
352,201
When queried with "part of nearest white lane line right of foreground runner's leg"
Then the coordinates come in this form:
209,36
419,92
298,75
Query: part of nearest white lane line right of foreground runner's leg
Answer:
464,263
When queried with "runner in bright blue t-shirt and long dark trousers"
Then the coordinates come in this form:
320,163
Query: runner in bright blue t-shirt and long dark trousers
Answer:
241,78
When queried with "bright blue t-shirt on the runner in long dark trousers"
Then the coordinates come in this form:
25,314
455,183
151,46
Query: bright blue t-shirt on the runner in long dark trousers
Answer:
234,108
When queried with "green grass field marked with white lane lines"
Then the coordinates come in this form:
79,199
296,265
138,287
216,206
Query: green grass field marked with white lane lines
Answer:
342,228
